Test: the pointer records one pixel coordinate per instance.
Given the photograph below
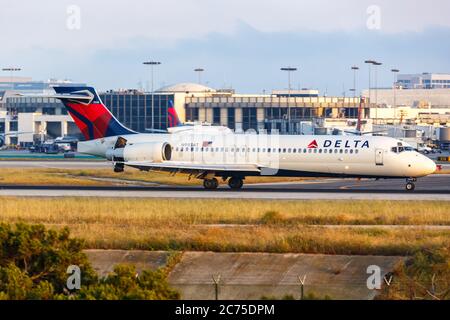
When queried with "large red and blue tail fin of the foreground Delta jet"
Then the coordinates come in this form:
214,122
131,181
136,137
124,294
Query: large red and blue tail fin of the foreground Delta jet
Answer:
89,113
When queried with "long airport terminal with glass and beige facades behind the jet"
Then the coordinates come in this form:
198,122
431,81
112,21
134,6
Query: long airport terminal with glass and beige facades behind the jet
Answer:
282,111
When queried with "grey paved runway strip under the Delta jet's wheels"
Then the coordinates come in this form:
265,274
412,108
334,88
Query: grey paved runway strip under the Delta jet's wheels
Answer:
435,187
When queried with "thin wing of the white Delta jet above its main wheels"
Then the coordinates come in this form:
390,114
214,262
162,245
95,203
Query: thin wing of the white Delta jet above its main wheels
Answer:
188,167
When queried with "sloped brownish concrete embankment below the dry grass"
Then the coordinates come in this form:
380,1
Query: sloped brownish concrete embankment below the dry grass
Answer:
254,275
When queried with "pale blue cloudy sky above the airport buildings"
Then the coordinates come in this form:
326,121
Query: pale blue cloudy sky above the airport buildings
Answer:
240,44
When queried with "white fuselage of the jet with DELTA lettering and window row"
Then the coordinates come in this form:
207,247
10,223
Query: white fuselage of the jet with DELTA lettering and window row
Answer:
346,156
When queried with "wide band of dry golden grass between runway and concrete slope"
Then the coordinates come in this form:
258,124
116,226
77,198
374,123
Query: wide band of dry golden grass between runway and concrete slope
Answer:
239,226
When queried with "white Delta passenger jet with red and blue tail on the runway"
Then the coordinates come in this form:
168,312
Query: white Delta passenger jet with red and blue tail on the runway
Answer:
233,157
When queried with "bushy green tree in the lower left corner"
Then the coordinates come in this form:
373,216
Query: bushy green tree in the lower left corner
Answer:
34,262
